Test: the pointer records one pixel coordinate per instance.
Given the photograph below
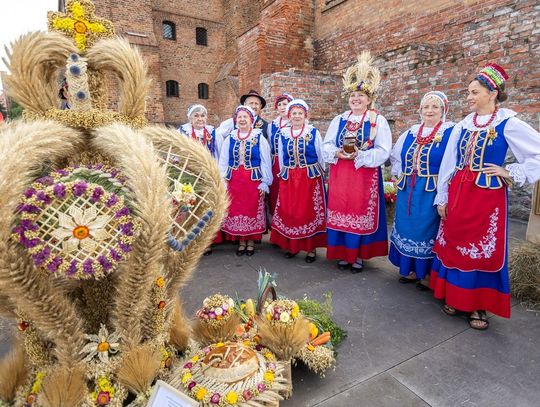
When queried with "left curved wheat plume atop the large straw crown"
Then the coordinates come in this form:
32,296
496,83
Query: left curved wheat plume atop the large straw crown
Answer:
34,64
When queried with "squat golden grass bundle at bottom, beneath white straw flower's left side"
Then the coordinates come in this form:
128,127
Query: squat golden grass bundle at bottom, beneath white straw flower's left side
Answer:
63,387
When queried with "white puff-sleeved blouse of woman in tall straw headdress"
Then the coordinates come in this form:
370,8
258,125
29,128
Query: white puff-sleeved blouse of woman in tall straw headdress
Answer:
372,158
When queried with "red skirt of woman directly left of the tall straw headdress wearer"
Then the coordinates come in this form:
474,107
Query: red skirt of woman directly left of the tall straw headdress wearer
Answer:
299,221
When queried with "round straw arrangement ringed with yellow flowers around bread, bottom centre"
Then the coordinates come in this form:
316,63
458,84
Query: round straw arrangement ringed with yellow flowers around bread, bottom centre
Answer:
260,384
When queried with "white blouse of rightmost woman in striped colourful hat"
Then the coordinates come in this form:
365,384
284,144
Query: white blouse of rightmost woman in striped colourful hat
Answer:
523,140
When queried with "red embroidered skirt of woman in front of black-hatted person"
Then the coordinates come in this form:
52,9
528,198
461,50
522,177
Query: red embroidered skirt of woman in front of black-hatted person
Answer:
246,218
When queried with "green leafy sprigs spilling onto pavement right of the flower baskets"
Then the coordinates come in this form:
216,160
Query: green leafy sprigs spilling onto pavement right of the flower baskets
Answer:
321,315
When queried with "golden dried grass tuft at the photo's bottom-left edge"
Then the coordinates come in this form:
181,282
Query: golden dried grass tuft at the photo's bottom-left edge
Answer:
13,373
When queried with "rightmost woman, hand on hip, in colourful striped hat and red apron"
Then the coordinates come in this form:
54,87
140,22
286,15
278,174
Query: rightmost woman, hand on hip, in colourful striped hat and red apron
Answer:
470,269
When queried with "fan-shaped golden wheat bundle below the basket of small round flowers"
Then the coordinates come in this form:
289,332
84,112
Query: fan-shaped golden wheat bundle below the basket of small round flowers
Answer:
285,340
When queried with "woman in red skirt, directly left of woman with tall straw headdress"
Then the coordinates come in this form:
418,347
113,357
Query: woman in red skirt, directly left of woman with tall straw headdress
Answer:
299,221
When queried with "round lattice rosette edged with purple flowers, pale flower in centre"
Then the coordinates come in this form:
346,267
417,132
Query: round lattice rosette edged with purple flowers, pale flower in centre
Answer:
77,229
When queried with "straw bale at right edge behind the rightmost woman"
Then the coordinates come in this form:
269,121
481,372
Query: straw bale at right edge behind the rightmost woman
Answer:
524,267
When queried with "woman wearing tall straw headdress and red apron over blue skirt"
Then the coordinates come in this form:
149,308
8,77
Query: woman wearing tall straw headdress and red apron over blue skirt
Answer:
357,143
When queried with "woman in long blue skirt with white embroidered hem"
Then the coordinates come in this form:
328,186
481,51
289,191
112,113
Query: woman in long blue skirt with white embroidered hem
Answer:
416,158
